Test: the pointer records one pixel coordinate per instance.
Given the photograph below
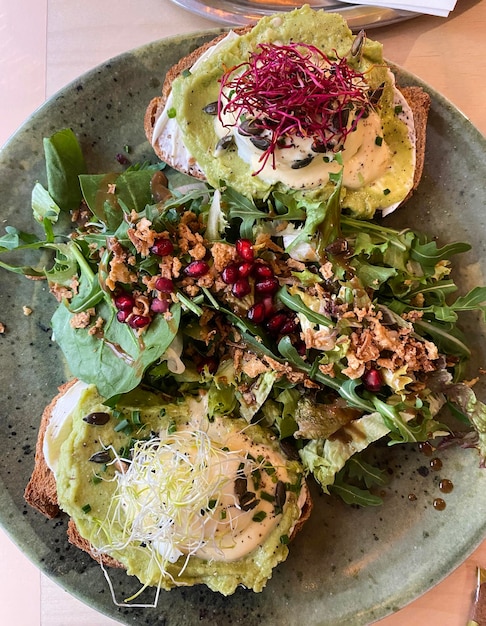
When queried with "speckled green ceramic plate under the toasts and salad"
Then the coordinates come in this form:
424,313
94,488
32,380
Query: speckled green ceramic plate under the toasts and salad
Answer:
350,566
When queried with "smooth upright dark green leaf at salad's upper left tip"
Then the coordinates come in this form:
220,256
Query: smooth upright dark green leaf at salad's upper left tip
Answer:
64,163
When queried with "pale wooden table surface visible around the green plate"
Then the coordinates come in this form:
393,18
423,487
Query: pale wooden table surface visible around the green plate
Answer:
47,43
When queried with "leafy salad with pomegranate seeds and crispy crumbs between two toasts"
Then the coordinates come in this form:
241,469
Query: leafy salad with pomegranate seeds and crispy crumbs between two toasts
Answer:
334,332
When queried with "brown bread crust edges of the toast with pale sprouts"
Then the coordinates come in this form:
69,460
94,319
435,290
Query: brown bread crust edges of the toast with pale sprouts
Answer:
41,492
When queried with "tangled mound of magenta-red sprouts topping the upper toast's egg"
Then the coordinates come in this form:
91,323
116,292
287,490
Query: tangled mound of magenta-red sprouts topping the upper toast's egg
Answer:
293,90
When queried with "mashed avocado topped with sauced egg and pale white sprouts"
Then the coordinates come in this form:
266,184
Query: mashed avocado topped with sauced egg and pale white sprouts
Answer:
177,499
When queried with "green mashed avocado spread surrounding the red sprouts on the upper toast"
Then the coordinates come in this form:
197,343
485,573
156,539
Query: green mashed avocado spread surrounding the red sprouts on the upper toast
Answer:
378,157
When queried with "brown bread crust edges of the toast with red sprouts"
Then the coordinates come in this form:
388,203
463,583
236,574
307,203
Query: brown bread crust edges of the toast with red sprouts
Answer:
417,98
